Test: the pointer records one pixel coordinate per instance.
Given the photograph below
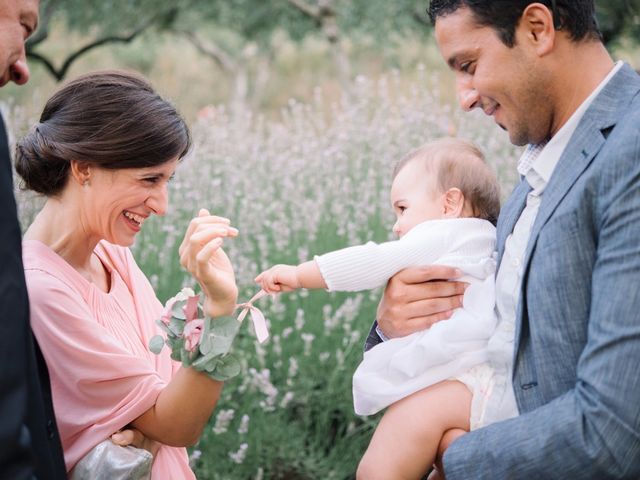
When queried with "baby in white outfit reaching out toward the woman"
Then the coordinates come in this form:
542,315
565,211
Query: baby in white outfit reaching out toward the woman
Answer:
446,201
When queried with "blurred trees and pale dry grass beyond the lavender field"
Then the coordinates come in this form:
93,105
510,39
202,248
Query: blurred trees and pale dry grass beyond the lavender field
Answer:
260,52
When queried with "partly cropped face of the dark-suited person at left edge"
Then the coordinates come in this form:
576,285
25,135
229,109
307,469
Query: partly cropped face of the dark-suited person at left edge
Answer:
18,20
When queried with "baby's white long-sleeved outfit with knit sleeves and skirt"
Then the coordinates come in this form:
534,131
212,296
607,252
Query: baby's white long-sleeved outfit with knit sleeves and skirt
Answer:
401,366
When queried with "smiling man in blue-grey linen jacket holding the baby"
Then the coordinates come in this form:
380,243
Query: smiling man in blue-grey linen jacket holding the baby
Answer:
568,239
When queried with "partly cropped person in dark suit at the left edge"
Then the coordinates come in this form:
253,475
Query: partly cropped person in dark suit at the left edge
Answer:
29,443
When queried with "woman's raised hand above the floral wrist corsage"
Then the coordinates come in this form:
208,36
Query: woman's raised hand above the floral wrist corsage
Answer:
201,254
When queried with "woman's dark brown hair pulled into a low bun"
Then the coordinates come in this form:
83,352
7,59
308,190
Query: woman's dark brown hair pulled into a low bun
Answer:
110,119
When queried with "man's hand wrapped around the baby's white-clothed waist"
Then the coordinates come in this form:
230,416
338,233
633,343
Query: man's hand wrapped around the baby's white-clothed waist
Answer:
417,297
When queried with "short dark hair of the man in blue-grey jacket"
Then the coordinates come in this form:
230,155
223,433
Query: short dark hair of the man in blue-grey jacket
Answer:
577,17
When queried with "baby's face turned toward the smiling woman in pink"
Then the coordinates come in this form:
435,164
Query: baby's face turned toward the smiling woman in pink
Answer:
414,198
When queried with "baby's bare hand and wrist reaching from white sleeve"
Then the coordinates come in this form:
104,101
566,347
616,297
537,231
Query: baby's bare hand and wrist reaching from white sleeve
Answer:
286,278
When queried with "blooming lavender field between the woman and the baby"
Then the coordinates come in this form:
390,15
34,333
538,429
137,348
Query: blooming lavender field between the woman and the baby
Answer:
312,179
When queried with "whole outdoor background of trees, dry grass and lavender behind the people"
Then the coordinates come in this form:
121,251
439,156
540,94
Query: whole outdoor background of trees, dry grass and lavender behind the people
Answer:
299,109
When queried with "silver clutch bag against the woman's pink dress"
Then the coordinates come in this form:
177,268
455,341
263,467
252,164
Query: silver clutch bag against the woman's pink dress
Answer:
108,461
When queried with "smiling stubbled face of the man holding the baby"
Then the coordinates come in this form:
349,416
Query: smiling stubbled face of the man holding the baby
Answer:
508,84
